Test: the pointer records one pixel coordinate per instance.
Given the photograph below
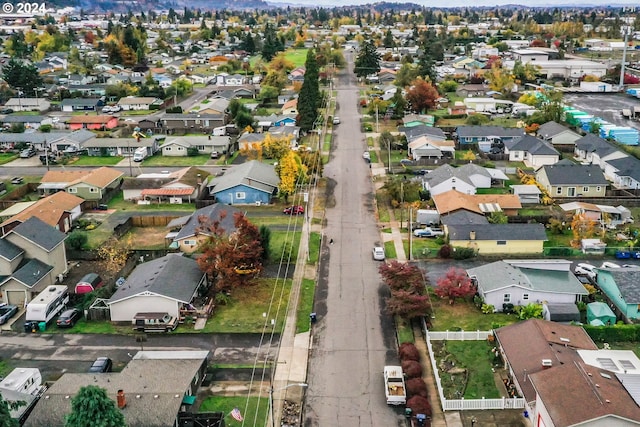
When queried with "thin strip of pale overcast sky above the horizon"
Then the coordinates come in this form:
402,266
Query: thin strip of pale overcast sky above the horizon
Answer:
456,3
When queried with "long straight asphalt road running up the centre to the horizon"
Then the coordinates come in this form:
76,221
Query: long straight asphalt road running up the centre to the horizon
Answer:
353,338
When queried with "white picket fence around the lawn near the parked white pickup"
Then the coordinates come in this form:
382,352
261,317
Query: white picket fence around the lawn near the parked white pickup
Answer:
465,404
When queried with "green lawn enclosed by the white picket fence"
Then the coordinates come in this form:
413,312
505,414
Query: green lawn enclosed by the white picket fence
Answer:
477,359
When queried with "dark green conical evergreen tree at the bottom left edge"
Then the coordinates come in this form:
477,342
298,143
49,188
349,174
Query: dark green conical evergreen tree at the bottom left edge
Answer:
92,407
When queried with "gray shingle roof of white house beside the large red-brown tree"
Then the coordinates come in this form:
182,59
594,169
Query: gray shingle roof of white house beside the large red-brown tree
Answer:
173,276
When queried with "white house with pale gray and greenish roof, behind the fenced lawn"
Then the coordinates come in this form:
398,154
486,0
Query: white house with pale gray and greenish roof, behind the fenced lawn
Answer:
522,283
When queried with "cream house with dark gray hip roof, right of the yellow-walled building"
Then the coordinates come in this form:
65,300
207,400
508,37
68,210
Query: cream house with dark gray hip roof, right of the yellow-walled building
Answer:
568,179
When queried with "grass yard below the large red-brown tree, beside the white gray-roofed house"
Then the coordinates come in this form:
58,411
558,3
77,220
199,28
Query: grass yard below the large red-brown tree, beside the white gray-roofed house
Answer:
244,311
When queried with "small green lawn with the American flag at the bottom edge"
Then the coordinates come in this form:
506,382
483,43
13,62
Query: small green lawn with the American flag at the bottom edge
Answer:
256,409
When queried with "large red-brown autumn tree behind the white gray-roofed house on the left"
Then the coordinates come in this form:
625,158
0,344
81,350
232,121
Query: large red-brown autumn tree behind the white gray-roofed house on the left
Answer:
233,259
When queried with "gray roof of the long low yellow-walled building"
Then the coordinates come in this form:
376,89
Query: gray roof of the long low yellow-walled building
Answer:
498,232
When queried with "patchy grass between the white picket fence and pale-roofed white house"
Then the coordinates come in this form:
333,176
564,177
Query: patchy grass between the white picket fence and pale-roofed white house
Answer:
463,315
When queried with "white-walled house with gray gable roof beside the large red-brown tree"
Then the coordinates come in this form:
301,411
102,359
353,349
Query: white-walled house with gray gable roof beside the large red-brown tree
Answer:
164,285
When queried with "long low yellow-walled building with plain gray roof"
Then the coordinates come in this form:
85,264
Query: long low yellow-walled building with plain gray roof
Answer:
498,238
